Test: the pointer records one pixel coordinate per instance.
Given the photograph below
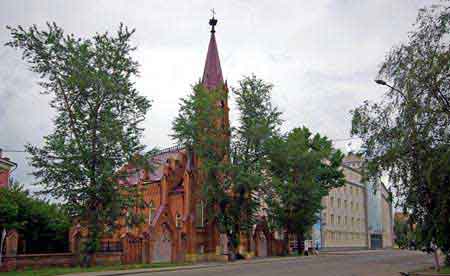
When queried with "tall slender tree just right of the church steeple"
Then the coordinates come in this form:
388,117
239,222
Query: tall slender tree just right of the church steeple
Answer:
258,121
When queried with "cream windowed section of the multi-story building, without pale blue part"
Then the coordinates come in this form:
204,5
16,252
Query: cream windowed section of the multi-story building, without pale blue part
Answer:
344,217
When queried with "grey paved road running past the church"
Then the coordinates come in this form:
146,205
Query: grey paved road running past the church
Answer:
379,263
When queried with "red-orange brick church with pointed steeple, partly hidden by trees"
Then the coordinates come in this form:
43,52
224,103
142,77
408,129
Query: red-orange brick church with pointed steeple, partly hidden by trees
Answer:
176,227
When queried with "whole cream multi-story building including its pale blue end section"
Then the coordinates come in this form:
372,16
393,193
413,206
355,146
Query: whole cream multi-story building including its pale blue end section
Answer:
357,215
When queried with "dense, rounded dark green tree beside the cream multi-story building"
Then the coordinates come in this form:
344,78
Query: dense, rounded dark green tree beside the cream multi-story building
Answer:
303,168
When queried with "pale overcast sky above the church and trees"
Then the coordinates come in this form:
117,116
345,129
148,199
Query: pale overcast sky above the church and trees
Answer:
322,57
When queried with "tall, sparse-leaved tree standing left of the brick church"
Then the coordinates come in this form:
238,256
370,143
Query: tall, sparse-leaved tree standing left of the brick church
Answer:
98,111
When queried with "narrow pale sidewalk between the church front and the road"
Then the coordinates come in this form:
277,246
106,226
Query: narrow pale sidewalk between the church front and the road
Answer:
185,267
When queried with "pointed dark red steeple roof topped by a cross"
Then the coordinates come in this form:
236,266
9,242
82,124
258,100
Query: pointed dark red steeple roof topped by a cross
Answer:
212,74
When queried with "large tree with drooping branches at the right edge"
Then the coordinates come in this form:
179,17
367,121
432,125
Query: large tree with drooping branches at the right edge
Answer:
407,133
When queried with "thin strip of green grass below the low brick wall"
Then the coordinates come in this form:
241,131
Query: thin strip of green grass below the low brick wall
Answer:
51,271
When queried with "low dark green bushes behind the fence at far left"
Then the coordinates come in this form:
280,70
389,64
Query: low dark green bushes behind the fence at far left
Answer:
43,226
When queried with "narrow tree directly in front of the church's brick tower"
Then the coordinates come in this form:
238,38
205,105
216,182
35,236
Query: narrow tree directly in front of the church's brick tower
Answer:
201,128
